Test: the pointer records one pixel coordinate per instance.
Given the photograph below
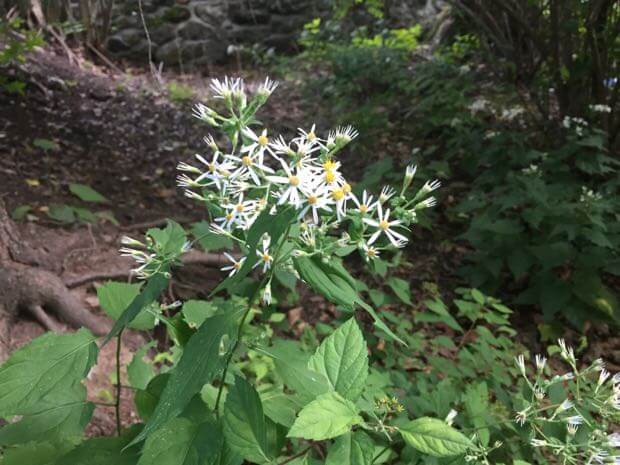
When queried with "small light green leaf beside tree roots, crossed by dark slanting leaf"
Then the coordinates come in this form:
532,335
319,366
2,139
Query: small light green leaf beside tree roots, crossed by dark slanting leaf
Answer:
115,297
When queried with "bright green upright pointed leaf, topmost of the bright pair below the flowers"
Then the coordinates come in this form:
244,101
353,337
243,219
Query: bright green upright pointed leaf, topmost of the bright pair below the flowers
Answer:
343,359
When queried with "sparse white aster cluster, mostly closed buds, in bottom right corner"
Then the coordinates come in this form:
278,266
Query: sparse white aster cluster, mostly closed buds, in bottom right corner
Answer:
585,402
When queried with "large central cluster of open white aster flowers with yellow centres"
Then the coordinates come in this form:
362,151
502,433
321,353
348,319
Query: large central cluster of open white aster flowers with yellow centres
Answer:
258,171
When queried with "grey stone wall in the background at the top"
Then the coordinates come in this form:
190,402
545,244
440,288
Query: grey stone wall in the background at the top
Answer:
195,32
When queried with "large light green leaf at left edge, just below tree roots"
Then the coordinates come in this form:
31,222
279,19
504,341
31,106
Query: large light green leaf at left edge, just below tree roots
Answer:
49,365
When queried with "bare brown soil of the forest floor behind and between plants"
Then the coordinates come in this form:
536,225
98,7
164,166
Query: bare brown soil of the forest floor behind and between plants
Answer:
120,133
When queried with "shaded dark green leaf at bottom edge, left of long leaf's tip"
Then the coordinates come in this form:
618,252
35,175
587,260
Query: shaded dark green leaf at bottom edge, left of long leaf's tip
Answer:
104,451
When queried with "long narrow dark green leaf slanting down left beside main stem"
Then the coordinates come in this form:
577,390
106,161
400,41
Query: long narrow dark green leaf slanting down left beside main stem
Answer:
200,363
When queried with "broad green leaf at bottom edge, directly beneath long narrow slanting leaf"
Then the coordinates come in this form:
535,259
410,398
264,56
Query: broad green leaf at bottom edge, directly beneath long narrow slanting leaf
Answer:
183,442
